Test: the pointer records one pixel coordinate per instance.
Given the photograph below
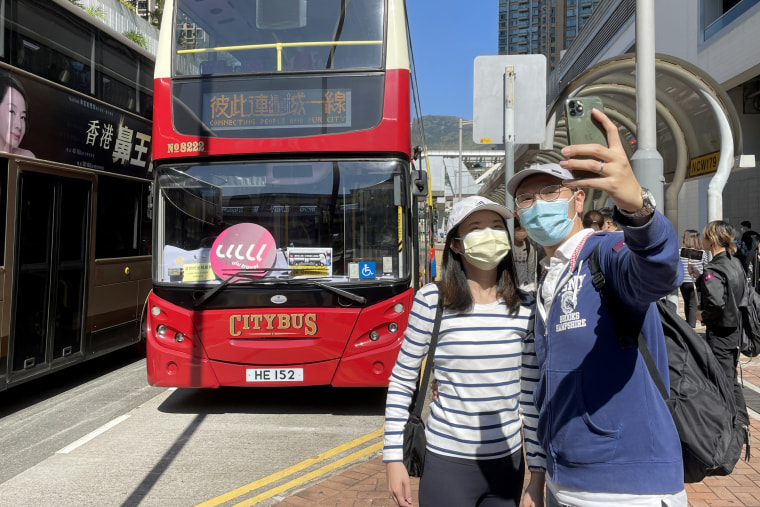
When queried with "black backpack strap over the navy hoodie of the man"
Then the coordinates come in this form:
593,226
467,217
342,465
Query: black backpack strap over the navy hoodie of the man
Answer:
621,320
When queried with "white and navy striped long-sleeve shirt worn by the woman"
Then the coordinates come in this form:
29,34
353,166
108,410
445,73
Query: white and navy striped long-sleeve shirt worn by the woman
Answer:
486,370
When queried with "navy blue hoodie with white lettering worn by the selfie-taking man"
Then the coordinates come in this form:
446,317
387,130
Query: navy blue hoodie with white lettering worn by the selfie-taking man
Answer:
602,422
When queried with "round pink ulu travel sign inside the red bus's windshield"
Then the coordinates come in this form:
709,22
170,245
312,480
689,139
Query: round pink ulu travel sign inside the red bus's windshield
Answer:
243,247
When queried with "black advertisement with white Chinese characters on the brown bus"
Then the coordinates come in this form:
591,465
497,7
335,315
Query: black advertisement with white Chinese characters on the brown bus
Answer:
66,127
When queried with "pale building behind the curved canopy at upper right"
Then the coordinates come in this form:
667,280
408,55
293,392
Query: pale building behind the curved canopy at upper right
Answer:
715,36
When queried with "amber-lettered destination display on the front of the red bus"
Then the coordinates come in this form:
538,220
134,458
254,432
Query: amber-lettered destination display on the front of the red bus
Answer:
268,109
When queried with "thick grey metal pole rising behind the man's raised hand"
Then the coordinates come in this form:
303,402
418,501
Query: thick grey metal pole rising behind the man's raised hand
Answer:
647,163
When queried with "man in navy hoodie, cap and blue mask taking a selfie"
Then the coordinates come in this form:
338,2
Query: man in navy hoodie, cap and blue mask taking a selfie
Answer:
607,433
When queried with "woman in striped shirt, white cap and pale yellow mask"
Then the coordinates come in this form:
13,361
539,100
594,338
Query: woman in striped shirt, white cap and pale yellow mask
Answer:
485,370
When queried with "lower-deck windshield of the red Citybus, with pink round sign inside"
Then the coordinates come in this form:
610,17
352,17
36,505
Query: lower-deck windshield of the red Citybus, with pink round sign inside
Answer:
336,220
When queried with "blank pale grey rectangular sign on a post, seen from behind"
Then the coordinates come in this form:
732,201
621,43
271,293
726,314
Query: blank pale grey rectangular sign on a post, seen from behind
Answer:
529,98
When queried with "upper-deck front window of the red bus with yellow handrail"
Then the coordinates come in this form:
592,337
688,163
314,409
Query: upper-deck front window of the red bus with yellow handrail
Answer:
226,36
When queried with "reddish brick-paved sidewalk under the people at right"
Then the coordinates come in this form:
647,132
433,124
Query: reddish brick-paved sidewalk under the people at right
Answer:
364,484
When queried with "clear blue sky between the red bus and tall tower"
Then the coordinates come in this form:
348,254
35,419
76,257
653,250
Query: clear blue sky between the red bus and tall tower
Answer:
447,35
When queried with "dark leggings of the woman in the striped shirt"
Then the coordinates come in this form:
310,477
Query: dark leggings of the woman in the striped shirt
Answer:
457,482
